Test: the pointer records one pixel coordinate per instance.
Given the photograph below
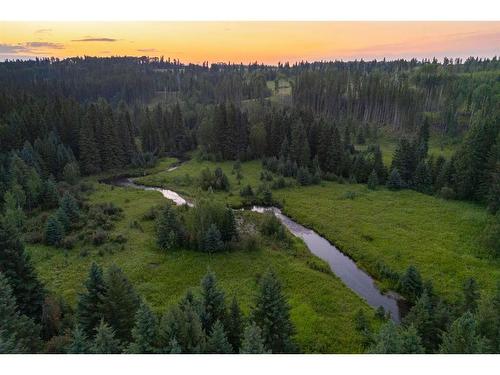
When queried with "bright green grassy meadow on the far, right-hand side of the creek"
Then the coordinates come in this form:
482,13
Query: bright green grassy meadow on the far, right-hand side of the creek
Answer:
392,228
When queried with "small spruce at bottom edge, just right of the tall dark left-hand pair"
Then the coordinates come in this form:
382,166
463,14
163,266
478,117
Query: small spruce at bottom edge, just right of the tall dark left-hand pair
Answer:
145,332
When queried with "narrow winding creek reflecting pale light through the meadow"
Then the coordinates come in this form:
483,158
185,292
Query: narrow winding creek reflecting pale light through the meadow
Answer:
341,265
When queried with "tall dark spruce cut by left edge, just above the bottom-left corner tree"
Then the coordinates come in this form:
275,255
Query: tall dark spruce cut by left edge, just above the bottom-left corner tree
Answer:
15,264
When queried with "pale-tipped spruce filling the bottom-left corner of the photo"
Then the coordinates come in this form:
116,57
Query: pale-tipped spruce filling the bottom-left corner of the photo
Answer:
18,333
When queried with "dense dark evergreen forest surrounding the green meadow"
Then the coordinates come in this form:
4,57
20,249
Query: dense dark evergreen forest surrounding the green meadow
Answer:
61,120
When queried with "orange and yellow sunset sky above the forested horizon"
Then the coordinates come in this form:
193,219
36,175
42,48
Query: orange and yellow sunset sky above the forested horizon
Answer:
246,42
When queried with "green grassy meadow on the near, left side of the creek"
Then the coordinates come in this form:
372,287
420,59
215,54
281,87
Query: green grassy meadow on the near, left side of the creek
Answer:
322,307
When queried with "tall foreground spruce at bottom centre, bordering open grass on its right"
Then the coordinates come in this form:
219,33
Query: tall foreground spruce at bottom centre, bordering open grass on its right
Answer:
272,314
